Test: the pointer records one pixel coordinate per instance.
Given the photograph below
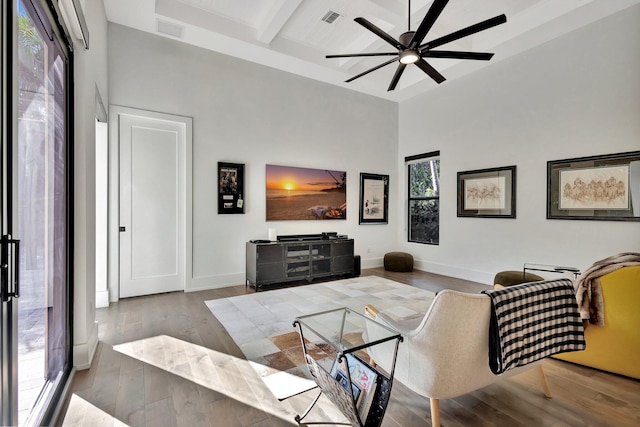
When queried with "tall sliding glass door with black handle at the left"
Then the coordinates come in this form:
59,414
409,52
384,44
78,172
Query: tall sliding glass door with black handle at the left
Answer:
35,214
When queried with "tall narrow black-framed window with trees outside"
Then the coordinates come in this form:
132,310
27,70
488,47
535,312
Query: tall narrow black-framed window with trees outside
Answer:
424,197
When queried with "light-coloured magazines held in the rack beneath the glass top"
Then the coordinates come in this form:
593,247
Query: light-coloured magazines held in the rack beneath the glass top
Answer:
364,380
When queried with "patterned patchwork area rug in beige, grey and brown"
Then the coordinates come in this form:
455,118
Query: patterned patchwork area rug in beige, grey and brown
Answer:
261,324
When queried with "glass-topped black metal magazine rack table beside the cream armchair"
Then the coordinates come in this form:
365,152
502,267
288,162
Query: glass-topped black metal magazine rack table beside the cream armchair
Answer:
335,346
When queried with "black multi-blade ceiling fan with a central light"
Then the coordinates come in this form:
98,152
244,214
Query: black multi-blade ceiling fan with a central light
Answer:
411,50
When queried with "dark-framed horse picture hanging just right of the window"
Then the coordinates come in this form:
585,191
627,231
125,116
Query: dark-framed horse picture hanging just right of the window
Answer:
487,193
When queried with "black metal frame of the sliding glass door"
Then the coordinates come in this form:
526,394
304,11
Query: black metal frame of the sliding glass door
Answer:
49,18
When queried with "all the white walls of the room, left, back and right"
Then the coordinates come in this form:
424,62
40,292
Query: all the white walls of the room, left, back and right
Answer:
575,96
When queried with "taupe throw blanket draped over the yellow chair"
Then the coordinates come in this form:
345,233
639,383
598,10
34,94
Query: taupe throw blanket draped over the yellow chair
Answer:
587,286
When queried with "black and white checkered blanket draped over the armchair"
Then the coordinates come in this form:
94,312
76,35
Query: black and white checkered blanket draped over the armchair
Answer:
532,321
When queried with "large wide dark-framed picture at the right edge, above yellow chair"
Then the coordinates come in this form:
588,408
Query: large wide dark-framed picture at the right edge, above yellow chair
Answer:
603,187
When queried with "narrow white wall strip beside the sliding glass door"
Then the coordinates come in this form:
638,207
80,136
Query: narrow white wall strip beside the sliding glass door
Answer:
90,70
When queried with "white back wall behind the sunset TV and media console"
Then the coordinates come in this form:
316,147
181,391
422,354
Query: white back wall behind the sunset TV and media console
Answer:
255,115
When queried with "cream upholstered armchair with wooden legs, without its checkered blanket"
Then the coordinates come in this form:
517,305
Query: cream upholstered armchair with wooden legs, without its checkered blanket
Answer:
445,352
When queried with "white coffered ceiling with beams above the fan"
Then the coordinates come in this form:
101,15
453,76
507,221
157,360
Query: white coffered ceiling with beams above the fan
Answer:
291,35
